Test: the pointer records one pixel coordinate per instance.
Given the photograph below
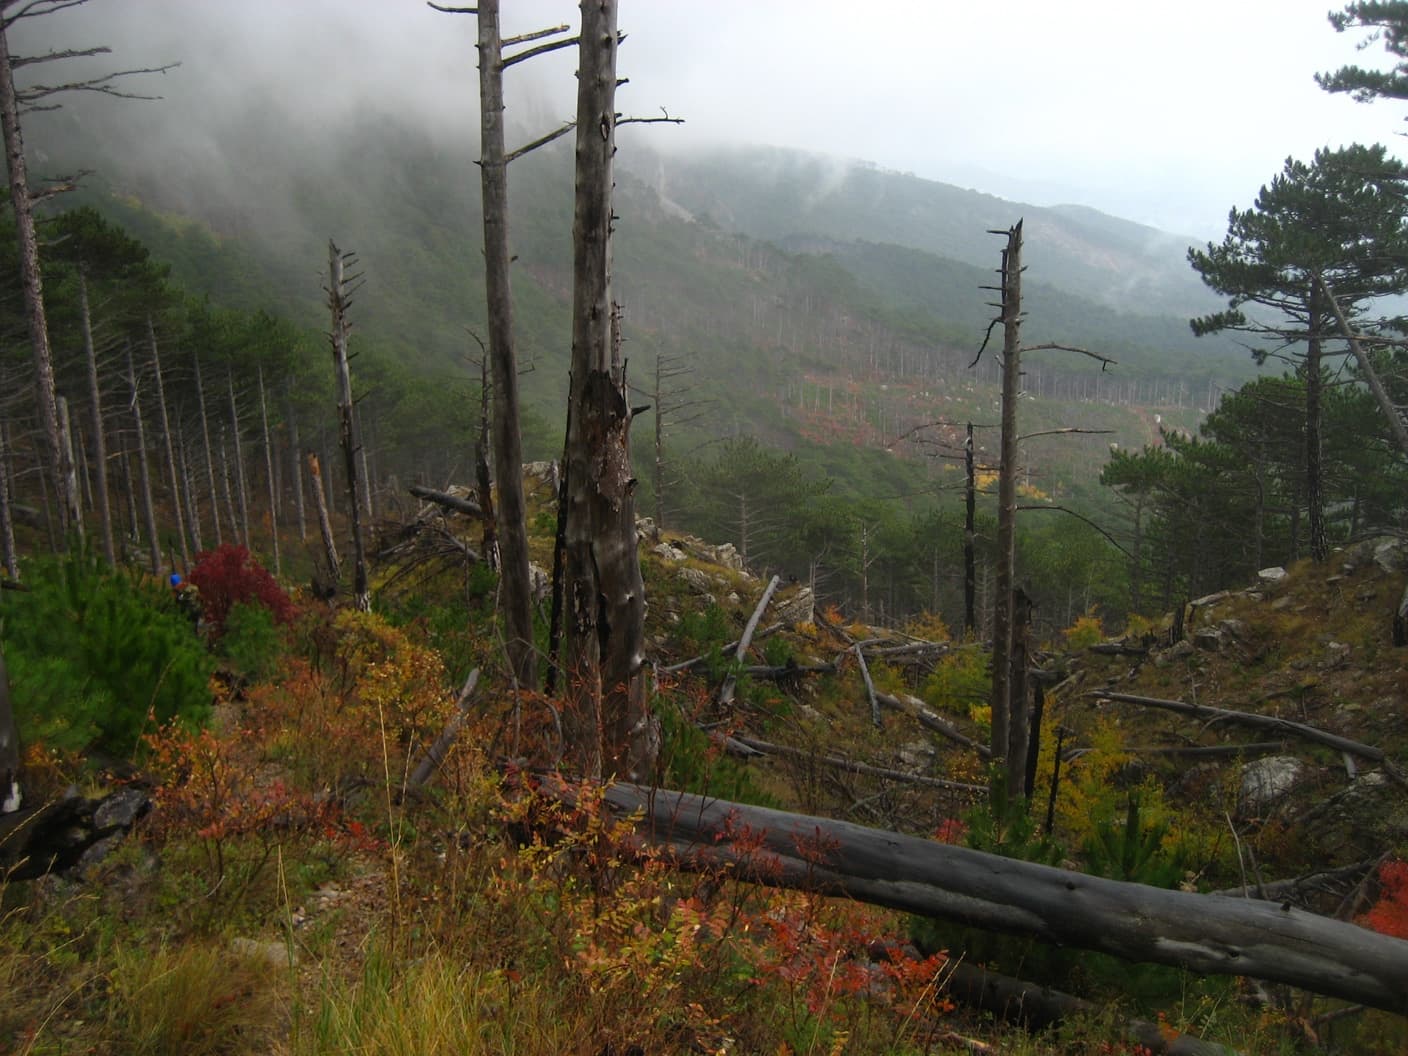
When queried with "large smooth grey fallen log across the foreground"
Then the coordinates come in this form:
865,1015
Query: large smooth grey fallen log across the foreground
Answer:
1205,933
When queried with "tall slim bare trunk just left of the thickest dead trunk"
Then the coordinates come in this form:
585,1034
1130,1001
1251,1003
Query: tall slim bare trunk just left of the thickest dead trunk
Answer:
512,509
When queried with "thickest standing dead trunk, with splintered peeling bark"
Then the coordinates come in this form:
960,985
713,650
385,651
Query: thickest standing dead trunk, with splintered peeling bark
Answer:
609,723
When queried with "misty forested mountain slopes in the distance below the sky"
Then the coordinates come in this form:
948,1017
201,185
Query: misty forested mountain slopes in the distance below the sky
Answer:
767,313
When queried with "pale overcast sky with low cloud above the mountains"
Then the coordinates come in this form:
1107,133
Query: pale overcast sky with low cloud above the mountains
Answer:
1162,113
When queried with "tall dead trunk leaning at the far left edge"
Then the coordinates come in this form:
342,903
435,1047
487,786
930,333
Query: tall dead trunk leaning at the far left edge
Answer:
32,285
